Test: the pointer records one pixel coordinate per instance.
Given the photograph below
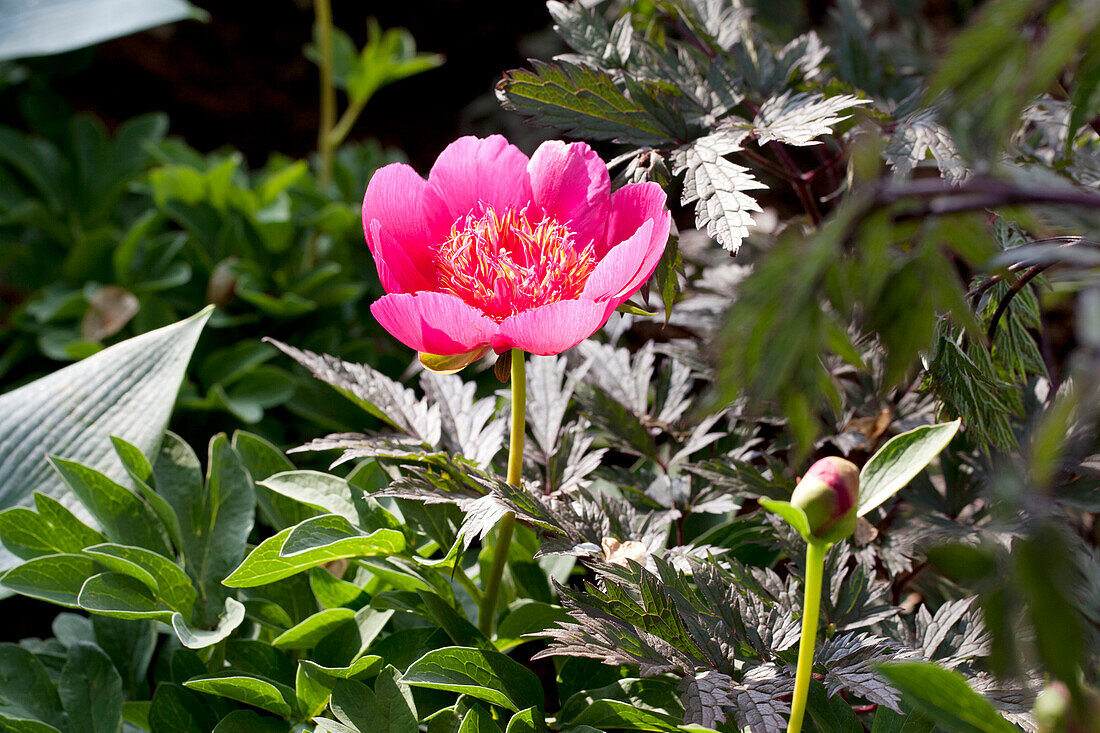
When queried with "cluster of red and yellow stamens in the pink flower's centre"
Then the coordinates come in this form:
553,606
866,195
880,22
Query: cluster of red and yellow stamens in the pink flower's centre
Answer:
507,265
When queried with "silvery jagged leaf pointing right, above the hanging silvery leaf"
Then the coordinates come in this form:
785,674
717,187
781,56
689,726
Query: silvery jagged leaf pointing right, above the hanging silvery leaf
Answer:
797,119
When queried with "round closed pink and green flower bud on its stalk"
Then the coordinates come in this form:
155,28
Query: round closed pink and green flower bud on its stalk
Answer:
829,494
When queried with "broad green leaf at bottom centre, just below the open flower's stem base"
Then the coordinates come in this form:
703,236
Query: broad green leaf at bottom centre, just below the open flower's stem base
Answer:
488,676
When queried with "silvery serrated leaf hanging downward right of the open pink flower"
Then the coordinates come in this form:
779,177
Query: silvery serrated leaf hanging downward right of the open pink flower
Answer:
718,188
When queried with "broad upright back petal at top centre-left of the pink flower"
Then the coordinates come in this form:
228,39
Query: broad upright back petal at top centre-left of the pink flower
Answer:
474,173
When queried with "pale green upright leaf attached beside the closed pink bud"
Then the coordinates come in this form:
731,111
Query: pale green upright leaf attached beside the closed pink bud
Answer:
896,464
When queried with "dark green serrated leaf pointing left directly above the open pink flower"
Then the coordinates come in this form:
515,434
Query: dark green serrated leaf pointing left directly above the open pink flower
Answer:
585,102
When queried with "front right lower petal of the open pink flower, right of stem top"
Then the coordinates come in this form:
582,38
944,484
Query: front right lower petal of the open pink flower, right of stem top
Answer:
552,329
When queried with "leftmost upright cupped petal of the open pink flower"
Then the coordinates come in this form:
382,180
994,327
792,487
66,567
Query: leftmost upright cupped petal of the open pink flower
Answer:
395,199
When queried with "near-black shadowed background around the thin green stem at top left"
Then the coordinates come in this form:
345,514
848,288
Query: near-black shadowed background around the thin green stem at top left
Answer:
241,80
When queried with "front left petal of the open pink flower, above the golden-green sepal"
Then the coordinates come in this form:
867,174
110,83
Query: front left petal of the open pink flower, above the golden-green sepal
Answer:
434,323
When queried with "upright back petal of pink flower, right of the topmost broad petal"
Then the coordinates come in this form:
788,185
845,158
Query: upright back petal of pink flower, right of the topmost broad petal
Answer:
571,184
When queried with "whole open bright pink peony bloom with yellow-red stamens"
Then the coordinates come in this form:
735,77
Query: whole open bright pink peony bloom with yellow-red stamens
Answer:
497,250
